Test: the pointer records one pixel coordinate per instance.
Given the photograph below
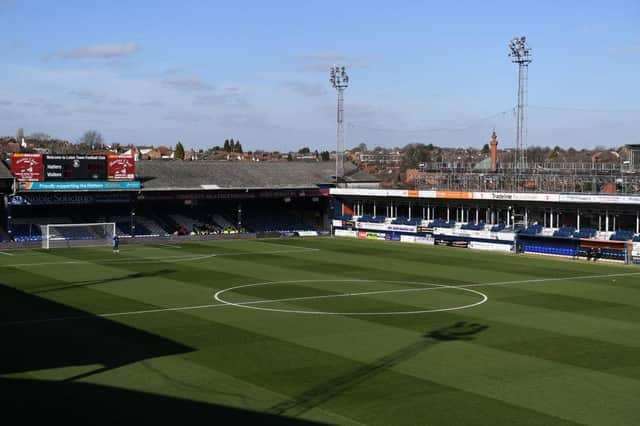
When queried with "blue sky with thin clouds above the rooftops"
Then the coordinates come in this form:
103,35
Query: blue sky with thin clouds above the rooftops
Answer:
199,72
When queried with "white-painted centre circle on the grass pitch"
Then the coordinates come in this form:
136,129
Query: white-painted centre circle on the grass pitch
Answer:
427,287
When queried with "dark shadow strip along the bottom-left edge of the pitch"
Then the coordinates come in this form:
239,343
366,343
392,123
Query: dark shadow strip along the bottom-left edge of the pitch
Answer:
75,403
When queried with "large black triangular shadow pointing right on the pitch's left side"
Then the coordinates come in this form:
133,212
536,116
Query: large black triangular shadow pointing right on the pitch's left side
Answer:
31,340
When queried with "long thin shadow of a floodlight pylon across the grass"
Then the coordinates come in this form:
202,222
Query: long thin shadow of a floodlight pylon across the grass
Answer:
324,392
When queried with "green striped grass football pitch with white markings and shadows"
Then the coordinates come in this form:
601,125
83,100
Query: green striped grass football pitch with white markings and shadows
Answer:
323,330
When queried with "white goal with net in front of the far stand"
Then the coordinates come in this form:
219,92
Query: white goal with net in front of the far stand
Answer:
77,234
